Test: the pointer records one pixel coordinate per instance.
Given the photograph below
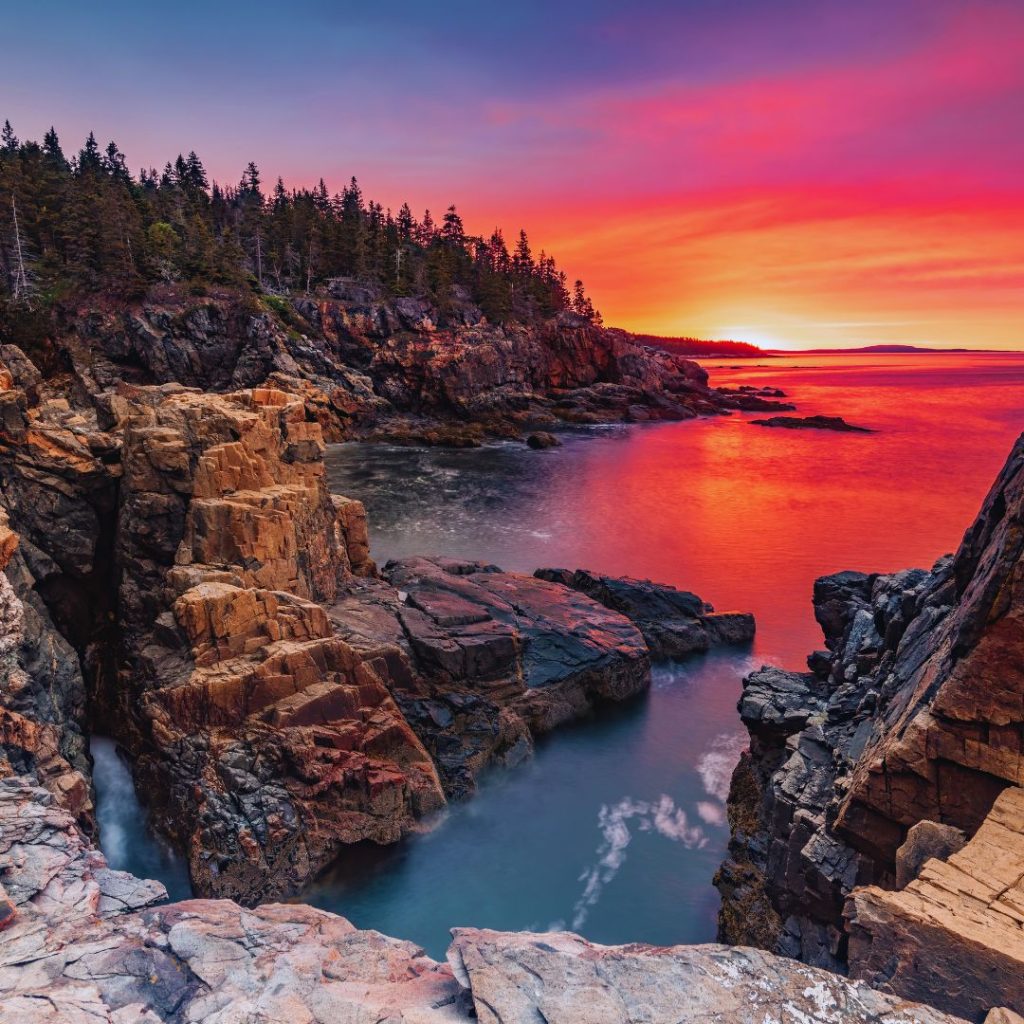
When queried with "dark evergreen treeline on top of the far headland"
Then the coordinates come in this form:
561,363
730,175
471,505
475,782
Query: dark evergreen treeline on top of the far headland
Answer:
83,224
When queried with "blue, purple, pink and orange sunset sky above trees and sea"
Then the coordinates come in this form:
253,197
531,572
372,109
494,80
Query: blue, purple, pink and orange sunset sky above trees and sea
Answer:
795,174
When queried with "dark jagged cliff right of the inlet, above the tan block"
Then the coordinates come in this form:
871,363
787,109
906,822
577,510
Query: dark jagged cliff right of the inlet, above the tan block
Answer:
915,712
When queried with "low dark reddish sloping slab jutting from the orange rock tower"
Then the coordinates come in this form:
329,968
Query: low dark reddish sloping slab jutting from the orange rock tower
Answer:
490,659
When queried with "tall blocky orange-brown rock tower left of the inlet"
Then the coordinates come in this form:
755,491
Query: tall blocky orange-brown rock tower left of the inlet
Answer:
264,741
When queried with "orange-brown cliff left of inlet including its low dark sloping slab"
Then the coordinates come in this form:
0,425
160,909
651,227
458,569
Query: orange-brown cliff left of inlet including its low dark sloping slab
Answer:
193,589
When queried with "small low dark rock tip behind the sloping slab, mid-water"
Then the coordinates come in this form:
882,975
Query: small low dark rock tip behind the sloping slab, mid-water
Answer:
674,623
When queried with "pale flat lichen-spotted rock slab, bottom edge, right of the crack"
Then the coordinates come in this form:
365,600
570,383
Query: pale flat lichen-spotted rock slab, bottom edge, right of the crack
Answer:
560,978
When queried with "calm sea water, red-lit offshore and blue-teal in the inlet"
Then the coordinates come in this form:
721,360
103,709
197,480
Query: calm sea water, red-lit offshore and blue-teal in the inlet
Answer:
617,826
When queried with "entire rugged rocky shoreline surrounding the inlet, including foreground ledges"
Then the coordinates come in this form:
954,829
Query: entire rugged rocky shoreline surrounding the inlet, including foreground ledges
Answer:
178,575
